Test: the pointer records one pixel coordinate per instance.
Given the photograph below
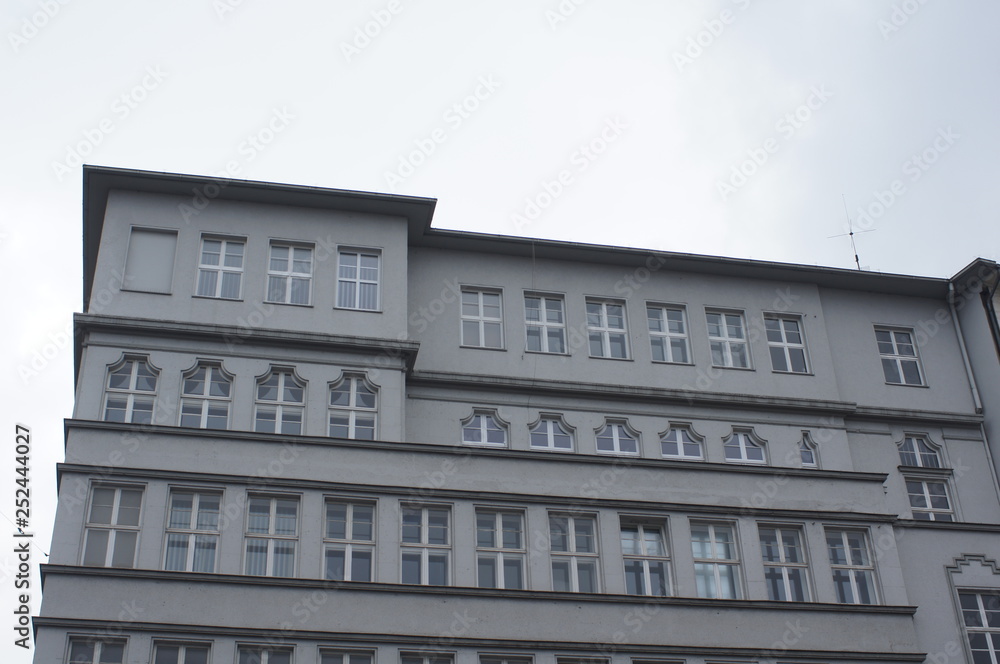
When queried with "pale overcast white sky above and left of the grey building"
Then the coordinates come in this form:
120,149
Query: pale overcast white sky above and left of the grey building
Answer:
679,108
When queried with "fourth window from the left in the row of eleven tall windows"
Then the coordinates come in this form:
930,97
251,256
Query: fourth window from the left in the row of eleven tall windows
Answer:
349,541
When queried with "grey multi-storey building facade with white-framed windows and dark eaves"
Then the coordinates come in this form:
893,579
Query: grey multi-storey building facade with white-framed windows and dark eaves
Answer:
311,429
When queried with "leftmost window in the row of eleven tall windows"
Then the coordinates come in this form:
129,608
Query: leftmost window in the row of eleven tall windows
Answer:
112,526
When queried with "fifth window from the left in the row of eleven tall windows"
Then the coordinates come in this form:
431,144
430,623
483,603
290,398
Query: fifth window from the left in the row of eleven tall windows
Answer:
425,545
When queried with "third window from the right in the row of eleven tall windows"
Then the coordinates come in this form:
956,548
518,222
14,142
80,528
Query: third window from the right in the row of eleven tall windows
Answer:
716,560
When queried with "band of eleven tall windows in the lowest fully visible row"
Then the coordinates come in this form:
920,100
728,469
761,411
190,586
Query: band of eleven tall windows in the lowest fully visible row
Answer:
561,551
